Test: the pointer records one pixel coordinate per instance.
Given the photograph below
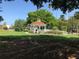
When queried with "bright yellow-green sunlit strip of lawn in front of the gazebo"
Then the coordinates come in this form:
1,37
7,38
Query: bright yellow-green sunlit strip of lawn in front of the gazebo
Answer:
14,33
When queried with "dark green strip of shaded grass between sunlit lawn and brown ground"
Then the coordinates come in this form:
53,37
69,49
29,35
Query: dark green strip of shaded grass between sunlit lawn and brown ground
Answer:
38,37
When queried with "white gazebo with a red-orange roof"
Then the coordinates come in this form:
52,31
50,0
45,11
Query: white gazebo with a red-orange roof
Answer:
38,27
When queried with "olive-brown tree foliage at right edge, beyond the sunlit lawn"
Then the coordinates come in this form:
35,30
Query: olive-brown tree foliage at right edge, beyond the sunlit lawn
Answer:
73,22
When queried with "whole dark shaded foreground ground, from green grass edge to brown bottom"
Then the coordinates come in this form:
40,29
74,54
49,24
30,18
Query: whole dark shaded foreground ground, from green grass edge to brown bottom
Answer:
38,47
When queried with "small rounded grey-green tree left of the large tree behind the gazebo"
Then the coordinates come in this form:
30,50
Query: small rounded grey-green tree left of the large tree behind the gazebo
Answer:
19,25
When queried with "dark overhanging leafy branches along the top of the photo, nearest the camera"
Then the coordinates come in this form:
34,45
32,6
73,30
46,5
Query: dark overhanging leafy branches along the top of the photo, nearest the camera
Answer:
63,5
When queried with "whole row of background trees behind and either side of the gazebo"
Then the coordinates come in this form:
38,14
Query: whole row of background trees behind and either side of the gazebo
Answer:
70,25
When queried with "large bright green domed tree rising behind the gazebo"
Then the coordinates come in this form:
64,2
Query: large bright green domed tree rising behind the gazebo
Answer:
43,15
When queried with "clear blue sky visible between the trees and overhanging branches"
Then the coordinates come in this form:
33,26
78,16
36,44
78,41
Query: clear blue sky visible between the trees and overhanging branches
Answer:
19,9
